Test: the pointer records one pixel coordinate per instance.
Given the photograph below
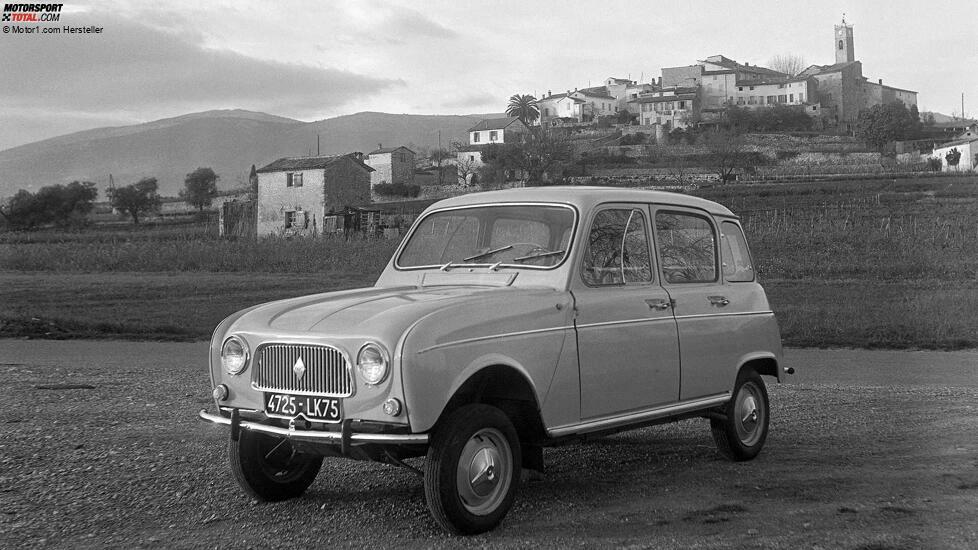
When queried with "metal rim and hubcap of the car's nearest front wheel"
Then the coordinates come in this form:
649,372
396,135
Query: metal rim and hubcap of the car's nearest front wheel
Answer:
485,471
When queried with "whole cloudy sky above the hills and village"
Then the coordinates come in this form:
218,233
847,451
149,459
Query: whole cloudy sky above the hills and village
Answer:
314,60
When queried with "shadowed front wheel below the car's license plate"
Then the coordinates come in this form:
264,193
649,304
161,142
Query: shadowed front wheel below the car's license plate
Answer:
269,469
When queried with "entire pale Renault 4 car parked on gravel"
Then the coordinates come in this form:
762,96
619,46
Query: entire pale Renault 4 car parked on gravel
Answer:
505,322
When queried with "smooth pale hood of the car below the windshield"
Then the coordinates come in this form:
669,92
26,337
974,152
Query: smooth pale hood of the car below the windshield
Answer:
372,311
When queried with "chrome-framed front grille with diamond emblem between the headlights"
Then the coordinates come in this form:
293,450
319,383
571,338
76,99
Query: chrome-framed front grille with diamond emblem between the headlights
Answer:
326,370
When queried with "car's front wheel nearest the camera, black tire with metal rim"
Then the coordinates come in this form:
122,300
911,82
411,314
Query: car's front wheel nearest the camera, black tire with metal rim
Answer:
472,470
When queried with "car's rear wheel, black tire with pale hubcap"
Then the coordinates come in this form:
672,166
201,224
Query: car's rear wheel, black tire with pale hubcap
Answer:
741,433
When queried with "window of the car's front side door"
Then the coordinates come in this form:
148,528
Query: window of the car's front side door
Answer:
617,249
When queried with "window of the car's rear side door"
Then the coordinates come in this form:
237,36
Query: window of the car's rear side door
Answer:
687,247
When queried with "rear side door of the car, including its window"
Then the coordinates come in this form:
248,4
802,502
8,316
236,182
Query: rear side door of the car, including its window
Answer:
688,252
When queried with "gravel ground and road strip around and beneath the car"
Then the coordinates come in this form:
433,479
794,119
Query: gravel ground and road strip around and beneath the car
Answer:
100,447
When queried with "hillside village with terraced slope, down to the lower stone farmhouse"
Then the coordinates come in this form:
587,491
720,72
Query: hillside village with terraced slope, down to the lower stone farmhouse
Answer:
619,128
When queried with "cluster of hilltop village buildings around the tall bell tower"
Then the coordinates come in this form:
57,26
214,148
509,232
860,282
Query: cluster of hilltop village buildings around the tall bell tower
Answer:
682,96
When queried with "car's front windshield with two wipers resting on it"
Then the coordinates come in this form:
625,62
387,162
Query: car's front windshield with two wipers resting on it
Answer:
513,235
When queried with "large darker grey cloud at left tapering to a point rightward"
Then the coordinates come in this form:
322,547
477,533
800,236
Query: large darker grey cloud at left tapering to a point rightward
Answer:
133,66
